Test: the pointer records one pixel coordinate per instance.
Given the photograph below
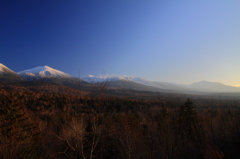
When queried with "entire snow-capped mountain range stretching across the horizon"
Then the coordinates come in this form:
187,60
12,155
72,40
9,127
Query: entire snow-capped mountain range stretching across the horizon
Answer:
48,74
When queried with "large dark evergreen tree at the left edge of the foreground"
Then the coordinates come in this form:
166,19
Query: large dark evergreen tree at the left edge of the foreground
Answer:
17,132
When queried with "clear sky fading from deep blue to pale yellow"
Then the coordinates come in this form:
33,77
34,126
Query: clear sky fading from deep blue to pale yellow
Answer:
163,40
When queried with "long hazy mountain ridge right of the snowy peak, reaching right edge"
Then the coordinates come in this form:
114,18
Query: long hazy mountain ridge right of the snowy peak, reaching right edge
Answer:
201,86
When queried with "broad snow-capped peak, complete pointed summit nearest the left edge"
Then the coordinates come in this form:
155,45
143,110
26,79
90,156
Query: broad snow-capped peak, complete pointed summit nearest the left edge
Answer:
42,72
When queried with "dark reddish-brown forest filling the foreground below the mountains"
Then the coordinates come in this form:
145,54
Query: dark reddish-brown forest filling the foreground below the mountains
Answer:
39,125
